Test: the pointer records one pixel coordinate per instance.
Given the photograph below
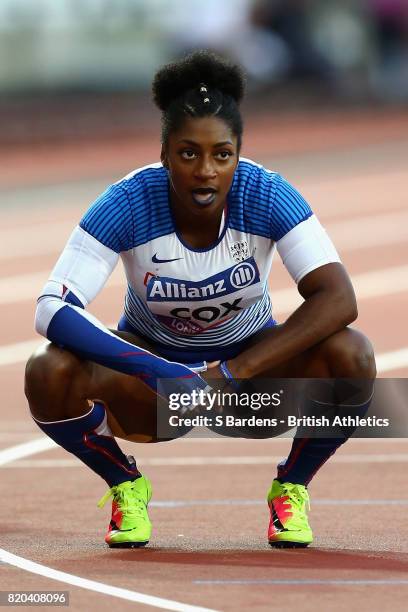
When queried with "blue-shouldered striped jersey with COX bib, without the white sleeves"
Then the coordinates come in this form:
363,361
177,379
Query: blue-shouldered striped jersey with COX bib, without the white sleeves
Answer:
133,217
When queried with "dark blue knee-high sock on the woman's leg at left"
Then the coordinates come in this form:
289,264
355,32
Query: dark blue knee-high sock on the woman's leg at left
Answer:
90,439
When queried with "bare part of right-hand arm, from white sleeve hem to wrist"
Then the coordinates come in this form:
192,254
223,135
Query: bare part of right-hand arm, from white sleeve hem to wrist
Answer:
329,306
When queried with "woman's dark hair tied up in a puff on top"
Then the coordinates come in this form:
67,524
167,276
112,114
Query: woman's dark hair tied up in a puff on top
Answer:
200,85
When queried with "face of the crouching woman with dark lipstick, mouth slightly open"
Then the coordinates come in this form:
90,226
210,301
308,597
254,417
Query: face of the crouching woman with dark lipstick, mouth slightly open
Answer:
201,158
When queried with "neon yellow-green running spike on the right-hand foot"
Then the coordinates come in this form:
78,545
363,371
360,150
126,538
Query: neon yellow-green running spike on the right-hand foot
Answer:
288,526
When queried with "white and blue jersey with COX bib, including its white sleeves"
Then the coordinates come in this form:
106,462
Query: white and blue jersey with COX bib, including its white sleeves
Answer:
180,297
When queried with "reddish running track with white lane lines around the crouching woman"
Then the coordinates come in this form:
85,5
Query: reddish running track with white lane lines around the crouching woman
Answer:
208,549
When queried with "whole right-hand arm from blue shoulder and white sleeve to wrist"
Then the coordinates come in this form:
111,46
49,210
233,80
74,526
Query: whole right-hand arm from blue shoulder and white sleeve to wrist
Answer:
313,262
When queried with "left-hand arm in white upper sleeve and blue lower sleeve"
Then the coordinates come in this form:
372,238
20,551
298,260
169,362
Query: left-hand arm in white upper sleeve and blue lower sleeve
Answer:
77,278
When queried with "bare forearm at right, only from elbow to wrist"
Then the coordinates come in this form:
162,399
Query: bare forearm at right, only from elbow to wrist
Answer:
320,315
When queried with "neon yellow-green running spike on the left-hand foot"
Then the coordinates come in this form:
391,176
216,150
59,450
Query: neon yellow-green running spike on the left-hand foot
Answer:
130,526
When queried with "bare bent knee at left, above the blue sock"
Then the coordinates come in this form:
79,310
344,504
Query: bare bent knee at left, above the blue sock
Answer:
49,375
